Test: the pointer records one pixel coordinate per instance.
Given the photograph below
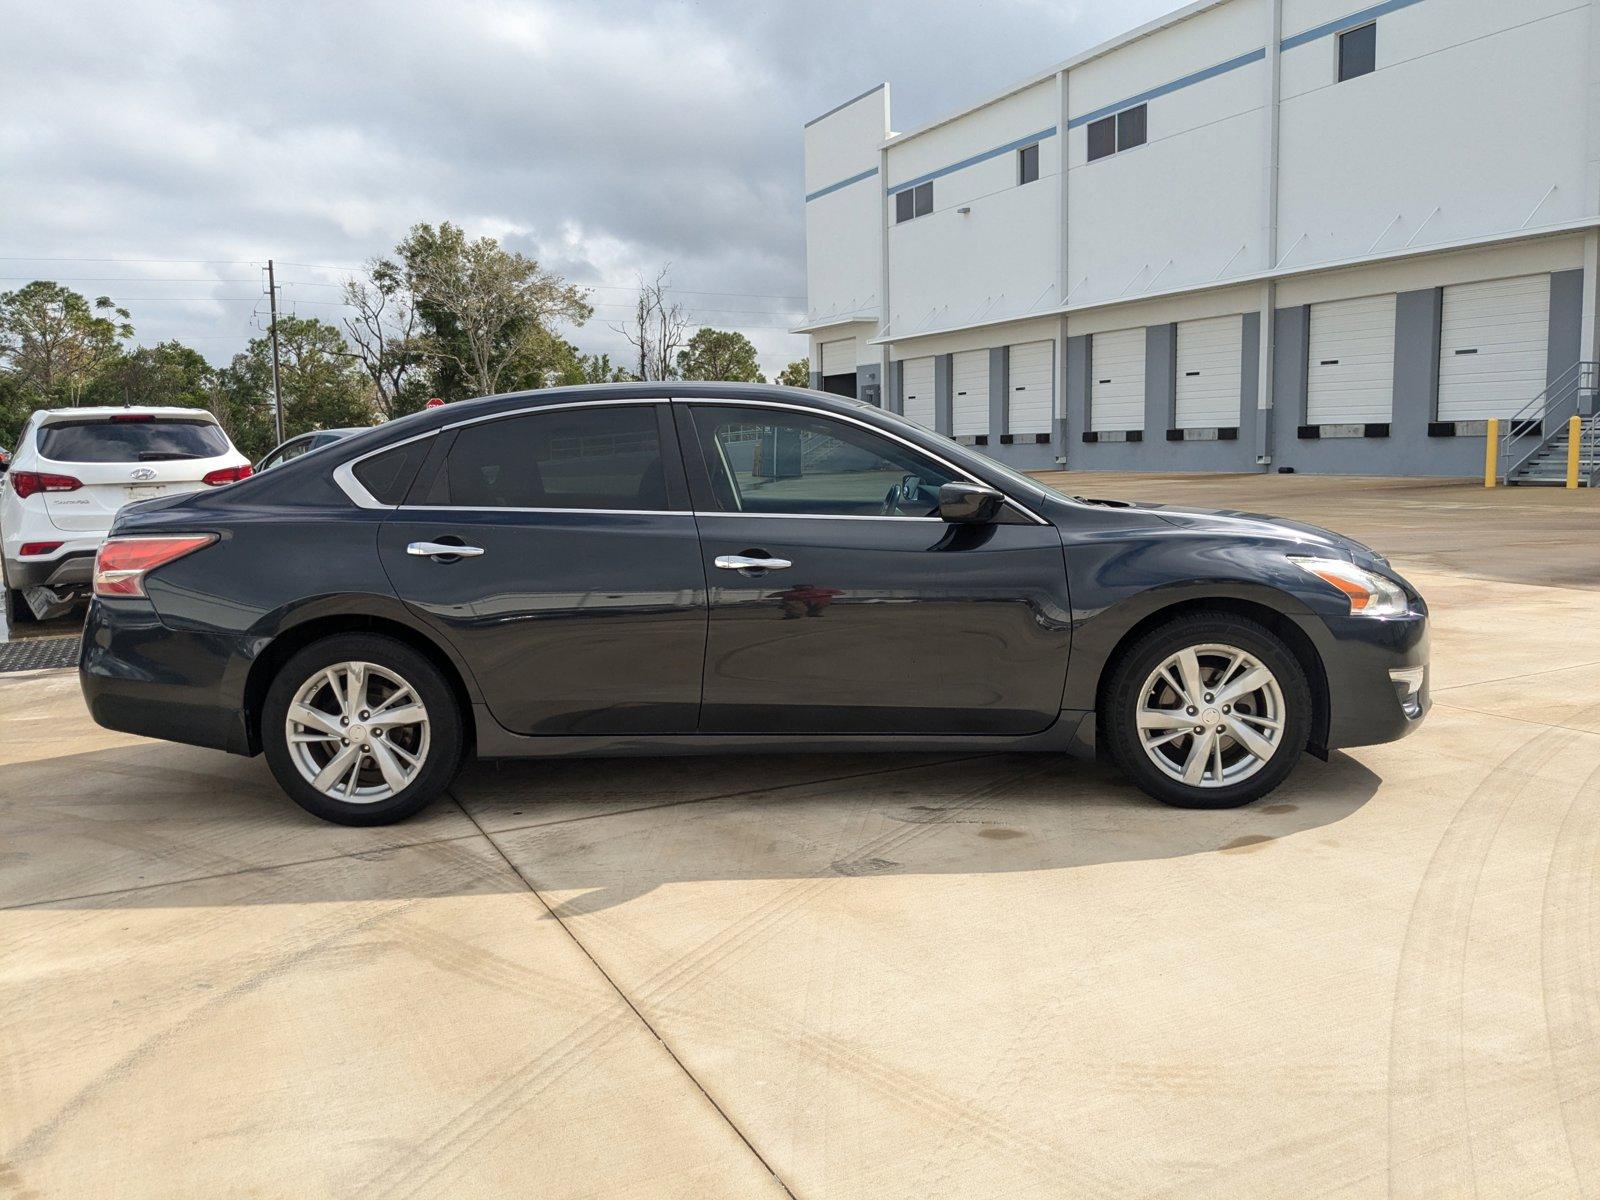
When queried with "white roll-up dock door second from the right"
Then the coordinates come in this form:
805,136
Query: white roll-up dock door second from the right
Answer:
1353,362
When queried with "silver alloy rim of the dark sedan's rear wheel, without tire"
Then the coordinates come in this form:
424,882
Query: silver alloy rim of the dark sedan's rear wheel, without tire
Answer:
358,732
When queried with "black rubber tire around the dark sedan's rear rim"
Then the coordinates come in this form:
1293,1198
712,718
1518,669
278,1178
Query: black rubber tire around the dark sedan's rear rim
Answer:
447,735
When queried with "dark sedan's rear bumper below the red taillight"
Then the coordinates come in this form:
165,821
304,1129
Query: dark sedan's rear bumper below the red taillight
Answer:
142,678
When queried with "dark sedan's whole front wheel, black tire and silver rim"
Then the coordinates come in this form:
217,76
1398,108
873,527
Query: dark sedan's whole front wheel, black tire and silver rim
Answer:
1209,711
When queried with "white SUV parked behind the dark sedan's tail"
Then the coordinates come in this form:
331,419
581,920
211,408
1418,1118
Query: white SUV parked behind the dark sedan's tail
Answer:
73,470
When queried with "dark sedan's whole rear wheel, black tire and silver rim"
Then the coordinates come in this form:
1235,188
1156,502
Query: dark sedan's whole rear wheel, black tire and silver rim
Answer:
362,730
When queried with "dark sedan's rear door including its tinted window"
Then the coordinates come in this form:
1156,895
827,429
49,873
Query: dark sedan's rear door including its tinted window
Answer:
556,550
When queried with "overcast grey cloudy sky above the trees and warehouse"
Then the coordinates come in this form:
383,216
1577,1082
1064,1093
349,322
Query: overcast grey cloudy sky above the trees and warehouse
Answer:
606,140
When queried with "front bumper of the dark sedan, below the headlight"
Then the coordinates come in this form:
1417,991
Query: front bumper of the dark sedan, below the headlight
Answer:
1367,663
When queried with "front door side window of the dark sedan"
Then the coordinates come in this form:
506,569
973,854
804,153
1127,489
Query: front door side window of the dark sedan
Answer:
777,462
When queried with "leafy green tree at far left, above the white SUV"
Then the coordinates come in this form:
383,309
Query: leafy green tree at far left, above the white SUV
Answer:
54,343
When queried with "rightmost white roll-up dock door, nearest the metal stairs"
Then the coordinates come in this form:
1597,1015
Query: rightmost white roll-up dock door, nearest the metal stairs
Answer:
1494,348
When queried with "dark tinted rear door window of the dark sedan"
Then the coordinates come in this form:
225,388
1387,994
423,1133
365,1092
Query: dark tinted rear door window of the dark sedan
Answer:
575,458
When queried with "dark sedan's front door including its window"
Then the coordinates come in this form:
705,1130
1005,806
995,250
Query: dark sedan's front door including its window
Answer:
871,614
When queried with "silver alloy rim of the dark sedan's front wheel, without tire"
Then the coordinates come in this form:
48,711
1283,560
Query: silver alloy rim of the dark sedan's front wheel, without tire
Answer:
1212,716
